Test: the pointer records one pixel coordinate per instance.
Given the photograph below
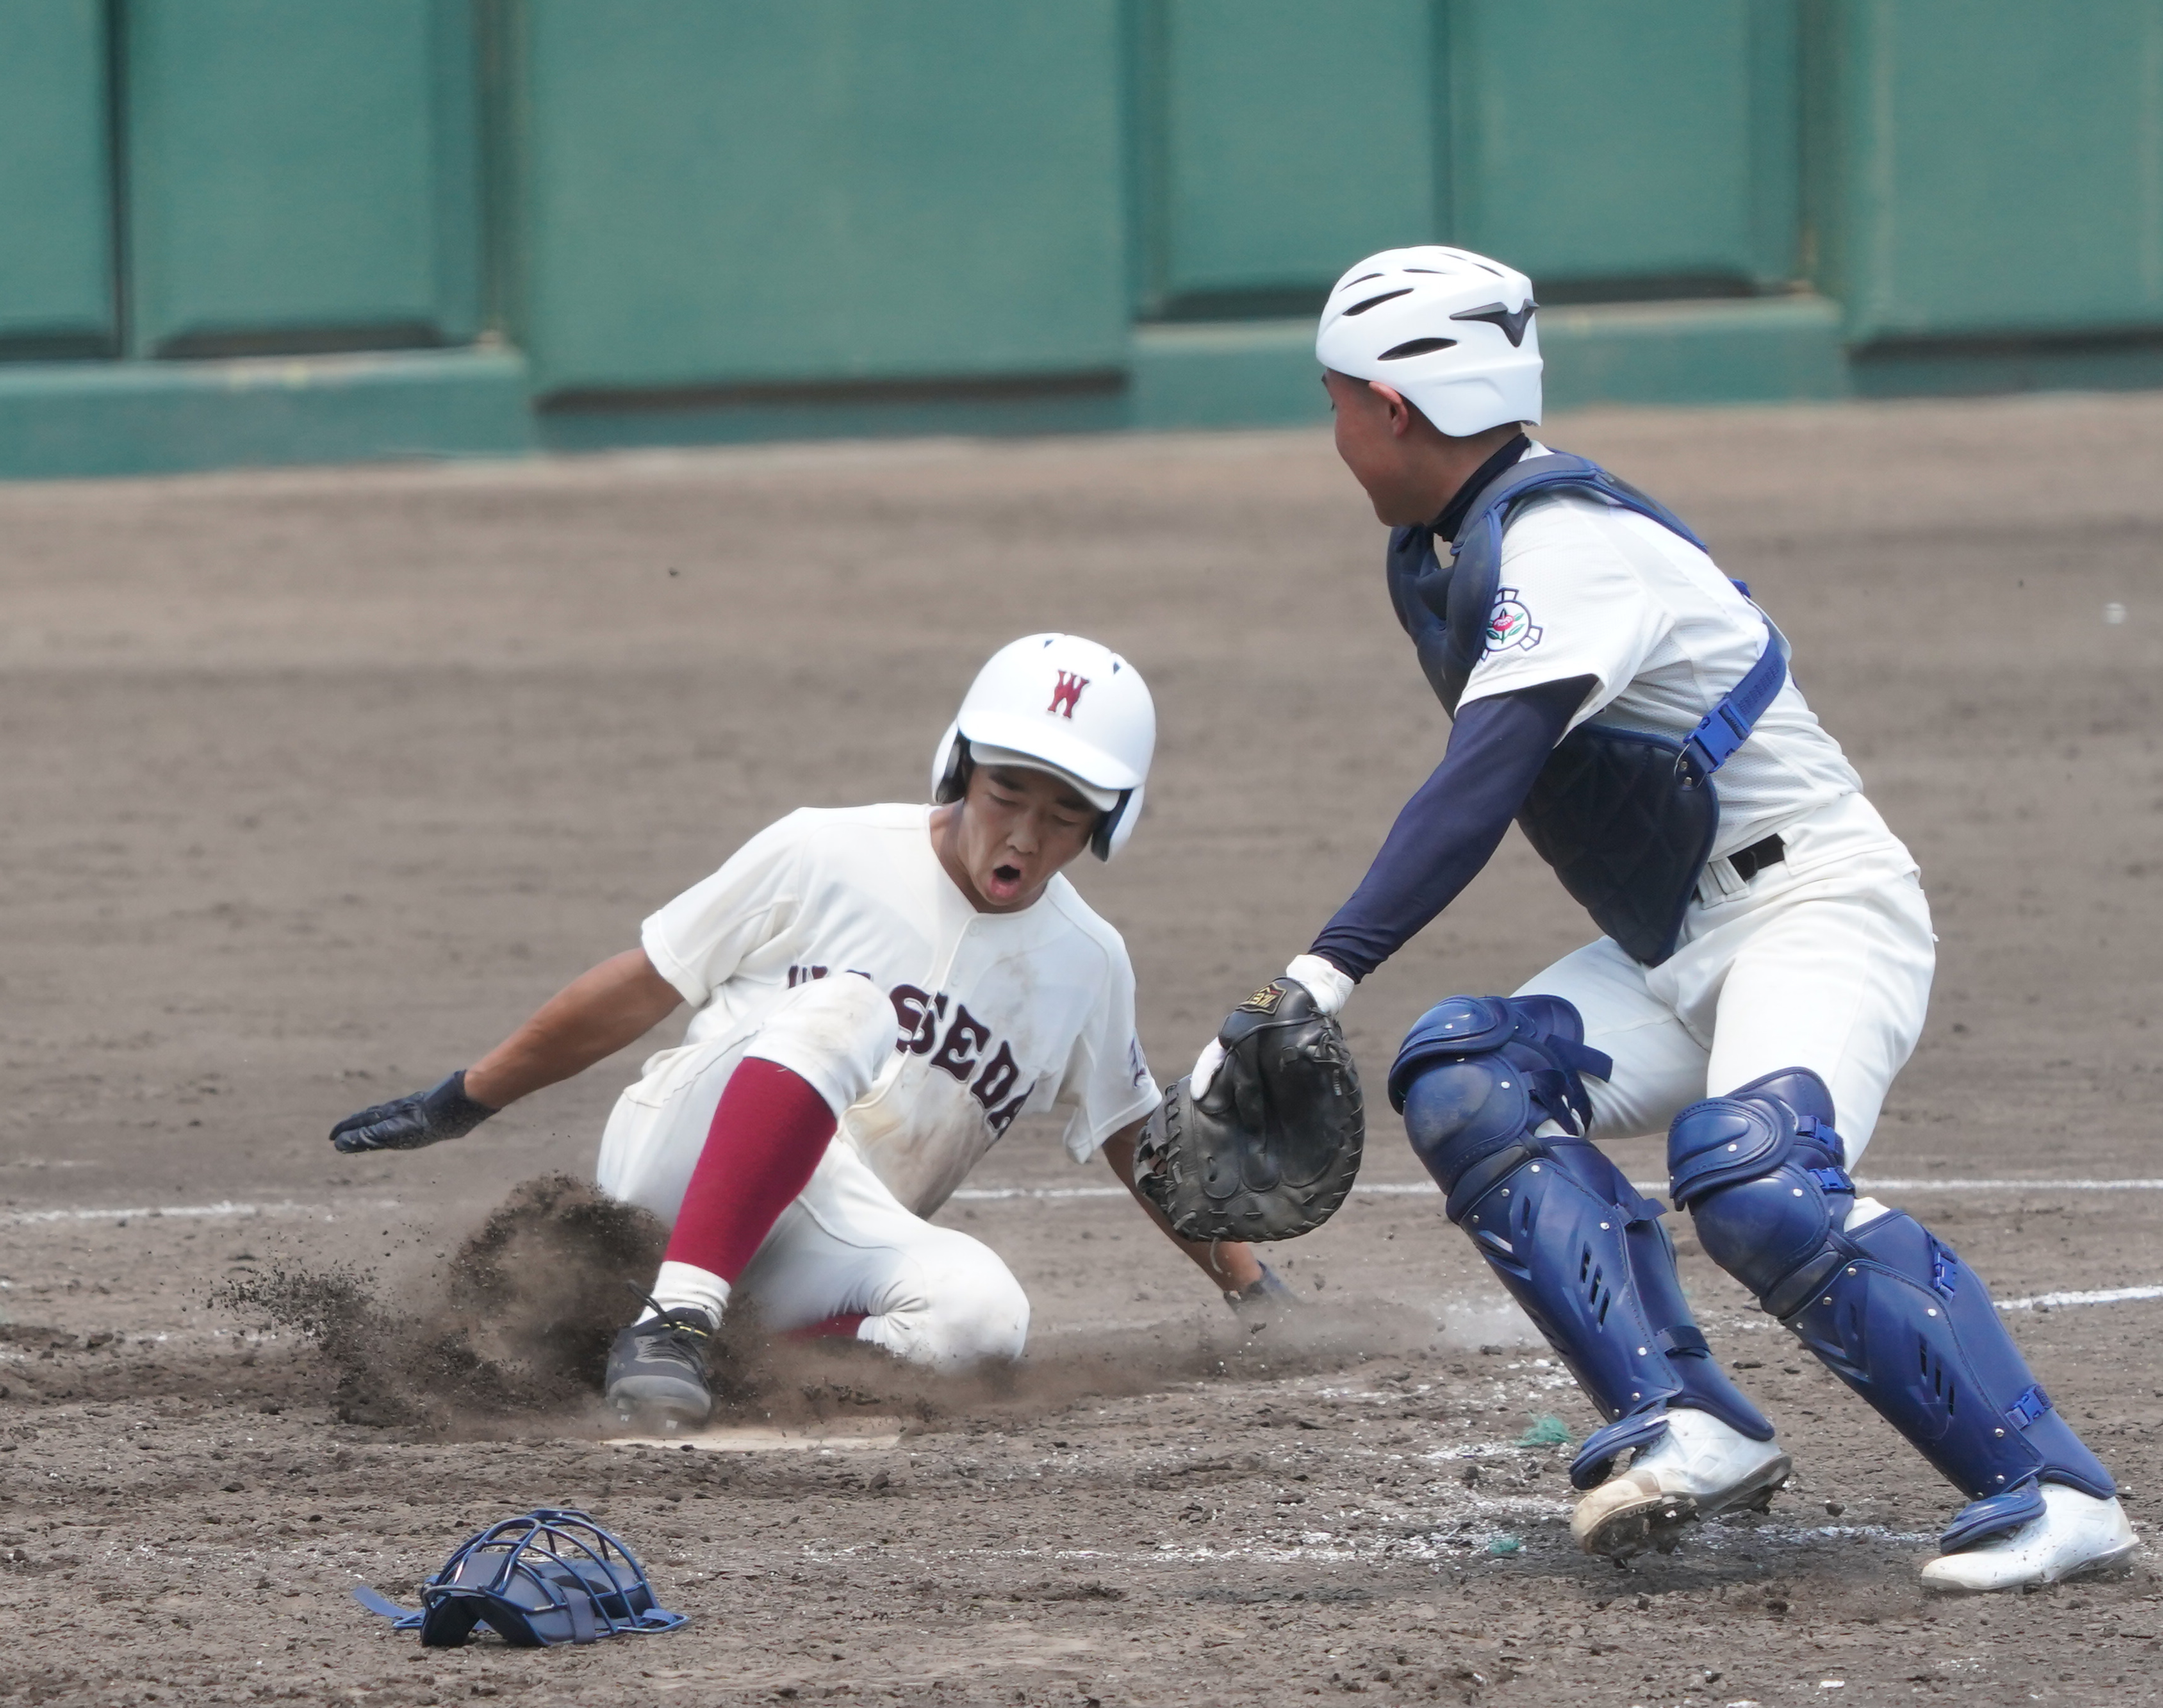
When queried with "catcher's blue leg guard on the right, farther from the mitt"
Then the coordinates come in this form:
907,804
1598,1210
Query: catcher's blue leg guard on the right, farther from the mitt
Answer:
1889,1309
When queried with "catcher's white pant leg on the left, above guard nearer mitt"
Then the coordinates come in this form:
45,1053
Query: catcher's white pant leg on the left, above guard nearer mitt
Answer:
1658,1060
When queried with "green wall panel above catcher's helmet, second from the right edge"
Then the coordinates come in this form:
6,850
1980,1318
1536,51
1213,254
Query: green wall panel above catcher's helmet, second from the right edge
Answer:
1600,142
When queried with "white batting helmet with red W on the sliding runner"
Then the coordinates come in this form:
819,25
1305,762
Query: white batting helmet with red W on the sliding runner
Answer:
1063,706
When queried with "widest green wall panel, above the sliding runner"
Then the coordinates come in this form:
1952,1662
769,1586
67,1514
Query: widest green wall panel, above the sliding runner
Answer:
730,191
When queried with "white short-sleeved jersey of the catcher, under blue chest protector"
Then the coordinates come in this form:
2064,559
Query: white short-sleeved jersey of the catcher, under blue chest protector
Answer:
1591,591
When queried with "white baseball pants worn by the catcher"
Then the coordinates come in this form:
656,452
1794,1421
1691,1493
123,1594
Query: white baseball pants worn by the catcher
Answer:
1818,963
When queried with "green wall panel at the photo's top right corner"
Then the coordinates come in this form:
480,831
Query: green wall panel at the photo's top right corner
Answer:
2000,165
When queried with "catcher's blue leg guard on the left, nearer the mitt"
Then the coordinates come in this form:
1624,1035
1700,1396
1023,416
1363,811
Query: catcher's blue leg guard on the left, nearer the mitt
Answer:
1565,1231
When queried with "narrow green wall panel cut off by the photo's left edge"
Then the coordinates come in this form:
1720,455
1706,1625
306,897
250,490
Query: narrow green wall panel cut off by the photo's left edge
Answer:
55,181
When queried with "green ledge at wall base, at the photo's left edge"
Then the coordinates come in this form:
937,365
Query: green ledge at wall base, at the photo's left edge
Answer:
107,418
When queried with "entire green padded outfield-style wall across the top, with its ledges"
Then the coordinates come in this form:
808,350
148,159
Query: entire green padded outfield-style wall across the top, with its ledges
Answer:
626,222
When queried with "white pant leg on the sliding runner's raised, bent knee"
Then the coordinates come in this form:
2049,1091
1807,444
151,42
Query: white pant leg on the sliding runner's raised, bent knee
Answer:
834,1032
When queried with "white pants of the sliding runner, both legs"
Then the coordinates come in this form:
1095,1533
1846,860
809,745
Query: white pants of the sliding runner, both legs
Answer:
847,1246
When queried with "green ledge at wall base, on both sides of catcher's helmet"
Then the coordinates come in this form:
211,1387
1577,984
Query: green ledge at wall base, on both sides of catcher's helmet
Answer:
1647,353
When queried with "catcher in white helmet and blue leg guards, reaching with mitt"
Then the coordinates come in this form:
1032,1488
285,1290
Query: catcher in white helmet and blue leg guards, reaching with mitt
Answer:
1762,974
